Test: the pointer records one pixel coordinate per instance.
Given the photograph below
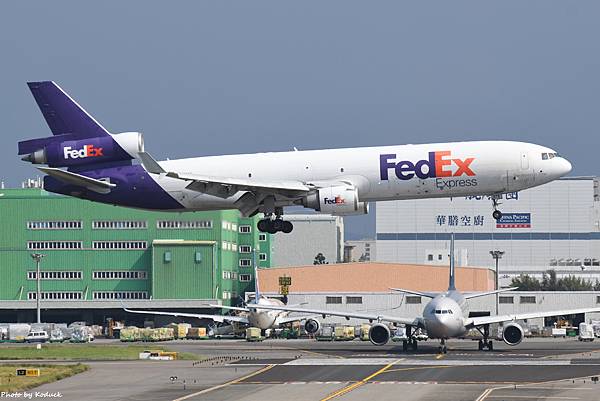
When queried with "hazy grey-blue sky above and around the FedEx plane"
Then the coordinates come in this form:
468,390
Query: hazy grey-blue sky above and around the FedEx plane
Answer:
209,78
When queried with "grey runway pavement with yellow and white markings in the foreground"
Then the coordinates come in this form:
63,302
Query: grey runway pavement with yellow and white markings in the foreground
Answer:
560,369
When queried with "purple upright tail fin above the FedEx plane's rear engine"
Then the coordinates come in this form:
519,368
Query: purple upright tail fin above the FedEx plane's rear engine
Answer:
63,114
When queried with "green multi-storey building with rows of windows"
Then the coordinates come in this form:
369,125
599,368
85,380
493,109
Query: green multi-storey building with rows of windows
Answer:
98,256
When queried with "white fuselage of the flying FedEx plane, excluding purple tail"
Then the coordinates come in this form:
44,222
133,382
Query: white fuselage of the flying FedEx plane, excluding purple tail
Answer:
379,173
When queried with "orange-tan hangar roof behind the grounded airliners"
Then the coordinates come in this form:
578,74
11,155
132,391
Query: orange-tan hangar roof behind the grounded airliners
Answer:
374,277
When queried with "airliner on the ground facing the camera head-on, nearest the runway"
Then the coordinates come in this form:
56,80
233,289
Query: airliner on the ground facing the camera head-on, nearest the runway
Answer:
445,316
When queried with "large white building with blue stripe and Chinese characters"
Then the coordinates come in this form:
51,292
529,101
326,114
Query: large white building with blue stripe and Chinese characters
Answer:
555,226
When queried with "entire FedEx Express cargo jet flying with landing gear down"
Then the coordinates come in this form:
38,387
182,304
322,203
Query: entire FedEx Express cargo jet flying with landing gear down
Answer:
85,160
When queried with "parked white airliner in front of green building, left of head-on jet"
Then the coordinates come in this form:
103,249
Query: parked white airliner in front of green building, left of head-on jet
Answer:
253,314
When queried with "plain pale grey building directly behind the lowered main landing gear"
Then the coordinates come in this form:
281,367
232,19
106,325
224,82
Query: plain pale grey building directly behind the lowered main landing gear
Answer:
313,234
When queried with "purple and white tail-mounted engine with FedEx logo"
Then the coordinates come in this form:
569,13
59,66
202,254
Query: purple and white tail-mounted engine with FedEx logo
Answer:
67,153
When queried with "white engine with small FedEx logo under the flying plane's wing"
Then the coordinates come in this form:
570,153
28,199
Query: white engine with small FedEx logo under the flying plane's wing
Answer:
337,200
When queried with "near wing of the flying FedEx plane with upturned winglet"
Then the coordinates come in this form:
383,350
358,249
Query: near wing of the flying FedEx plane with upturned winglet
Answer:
224,187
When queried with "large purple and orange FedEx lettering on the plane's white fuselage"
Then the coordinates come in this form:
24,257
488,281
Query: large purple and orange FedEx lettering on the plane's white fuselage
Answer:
438,164
